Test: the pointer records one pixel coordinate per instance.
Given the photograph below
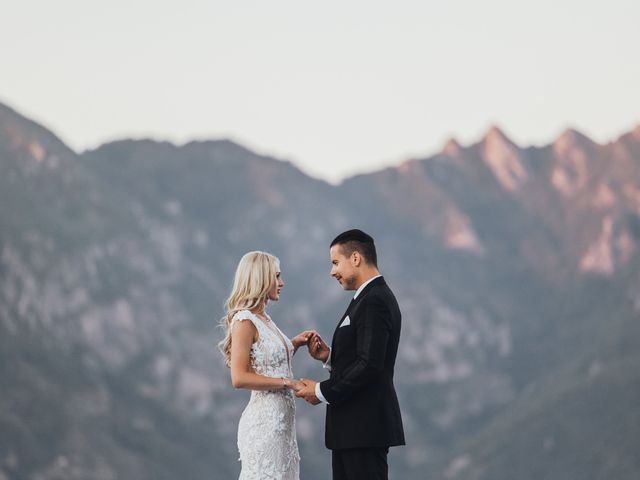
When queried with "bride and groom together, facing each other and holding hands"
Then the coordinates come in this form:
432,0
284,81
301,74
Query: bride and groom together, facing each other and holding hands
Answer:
363,415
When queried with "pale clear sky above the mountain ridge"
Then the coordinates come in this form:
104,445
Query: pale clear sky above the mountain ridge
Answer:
336,87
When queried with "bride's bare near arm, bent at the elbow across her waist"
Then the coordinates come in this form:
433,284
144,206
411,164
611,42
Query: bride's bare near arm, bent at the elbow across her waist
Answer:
242,375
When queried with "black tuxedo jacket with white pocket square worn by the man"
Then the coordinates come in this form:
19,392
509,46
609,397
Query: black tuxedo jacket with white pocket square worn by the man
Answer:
363,408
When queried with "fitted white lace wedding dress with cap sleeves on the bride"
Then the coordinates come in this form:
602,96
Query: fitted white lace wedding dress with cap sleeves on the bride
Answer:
267,432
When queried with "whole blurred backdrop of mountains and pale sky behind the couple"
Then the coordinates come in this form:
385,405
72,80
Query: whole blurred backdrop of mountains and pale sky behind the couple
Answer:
492,150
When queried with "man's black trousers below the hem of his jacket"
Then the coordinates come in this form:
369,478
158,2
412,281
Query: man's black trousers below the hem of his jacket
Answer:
360,464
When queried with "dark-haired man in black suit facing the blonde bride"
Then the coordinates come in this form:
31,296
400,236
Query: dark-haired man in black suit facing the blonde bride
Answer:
363,416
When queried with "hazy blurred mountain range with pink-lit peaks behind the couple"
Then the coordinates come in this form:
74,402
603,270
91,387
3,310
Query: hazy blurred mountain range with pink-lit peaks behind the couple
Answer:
516,270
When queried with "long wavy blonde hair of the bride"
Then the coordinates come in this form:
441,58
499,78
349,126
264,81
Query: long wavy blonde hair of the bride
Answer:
255,277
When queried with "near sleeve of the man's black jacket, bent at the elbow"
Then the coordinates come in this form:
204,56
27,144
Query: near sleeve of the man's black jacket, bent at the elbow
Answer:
372,334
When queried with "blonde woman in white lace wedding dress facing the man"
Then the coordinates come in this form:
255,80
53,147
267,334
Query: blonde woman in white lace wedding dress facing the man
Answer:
259,356
